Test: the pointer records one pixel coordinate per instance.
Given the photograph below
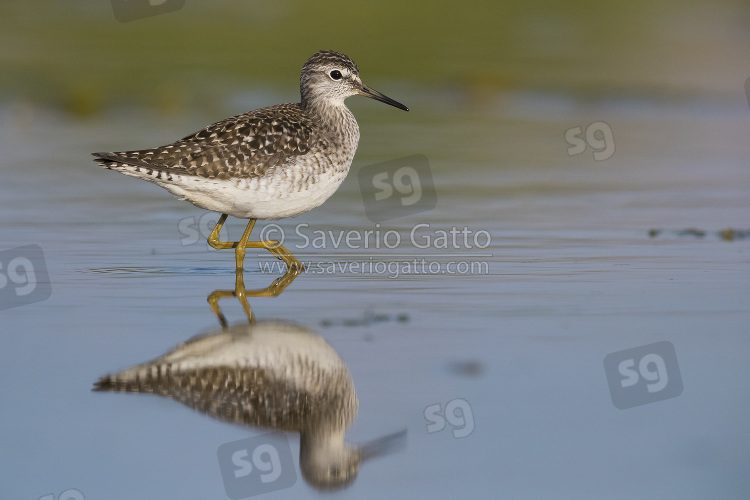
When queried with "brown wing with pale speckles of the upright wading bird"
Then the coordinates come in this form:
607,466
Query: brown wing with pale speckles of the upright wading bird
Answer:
243,146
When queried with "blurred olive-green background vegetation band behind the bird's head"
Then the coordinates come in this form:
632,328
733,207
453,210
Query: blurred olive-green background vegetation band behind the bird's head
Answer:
75,56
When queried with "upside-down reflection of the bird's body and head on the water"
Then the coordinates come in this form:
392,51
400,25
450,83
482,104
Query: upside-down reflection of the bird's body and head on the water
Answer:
270,374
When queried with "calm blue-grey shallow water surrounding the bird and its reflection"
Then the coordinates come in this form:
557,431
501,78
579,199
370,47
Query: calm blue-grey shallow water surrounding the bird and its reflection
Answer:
559,261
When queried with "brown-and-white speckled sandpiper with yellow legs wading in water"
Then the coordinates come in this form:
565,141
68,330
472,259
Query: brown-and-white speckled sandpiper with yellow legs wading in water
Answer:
271,163
